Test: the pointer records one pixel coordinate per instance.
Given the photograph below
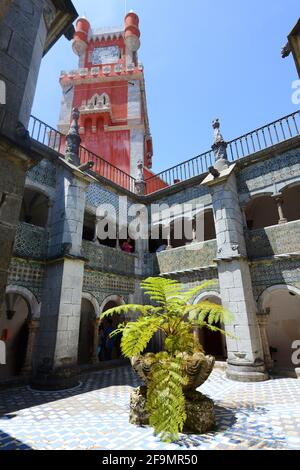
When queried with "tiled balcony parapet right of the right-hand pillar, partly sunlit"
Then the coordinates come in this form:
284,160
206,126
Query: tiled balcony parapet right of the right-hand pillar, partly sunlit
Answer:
275,240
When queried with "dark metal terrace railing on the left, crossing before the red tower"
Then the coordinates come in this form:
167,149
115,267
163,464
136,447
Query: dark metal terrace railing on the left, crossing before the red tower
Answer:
46,135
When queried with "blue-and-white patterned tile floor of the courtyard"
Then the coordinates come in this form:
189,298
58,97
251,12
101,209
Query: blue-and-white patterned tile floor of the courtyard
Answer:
95,416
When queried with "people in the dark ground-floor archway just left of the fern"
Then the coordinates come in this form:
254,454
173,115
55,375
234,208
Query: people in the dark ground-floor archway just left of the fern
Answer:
108,345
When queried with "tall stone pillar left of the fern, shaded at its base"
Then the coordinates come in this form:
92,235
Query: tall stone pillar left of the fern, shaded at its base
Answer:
57,351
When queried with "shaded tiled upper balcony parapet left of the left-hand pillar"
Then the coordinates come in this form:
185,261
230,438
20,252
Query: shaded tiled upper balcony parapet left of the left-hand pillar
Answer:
31,241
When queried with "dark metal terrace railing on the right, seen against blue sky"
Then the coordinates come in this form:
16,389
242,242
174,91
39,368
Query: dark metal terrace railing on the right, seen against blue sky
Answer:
244,146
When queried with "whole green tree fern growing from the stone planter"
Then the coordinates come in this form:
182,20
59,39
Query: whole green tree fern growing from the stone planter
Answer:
175,316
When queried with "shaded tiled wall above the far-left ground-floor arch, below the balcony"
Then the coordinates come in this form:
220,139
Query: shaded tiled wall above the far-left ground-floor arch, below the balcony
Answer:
28,274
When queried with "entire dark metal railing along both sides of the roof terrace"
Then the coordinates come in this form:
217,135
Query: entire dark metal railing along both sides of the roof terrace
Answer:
260,139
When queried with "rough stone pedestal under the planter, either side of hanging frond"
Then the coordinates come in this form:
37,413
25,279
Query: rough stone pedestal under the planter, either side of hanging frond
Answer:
199,408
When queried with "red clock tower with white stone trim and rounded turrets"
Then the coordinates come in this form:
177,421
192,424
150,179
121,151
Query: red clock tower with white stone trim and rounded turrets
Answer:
109,90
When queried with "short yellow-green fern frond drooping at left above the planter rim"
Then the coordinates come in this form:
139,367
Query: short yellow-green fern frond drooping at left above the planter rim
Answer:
136,335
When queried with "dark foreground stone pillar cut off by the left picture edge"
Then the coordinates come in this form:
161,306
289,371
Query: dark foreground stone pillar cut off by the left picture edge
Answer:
24,30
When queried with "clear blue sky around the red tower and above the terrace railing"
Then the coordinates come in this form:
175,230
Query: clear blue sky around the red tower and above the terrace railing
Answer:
203,59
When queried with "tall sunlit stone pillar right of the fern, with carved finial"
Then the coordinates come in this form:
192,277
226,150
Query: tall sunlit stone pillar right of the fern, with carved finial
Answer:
245,353
